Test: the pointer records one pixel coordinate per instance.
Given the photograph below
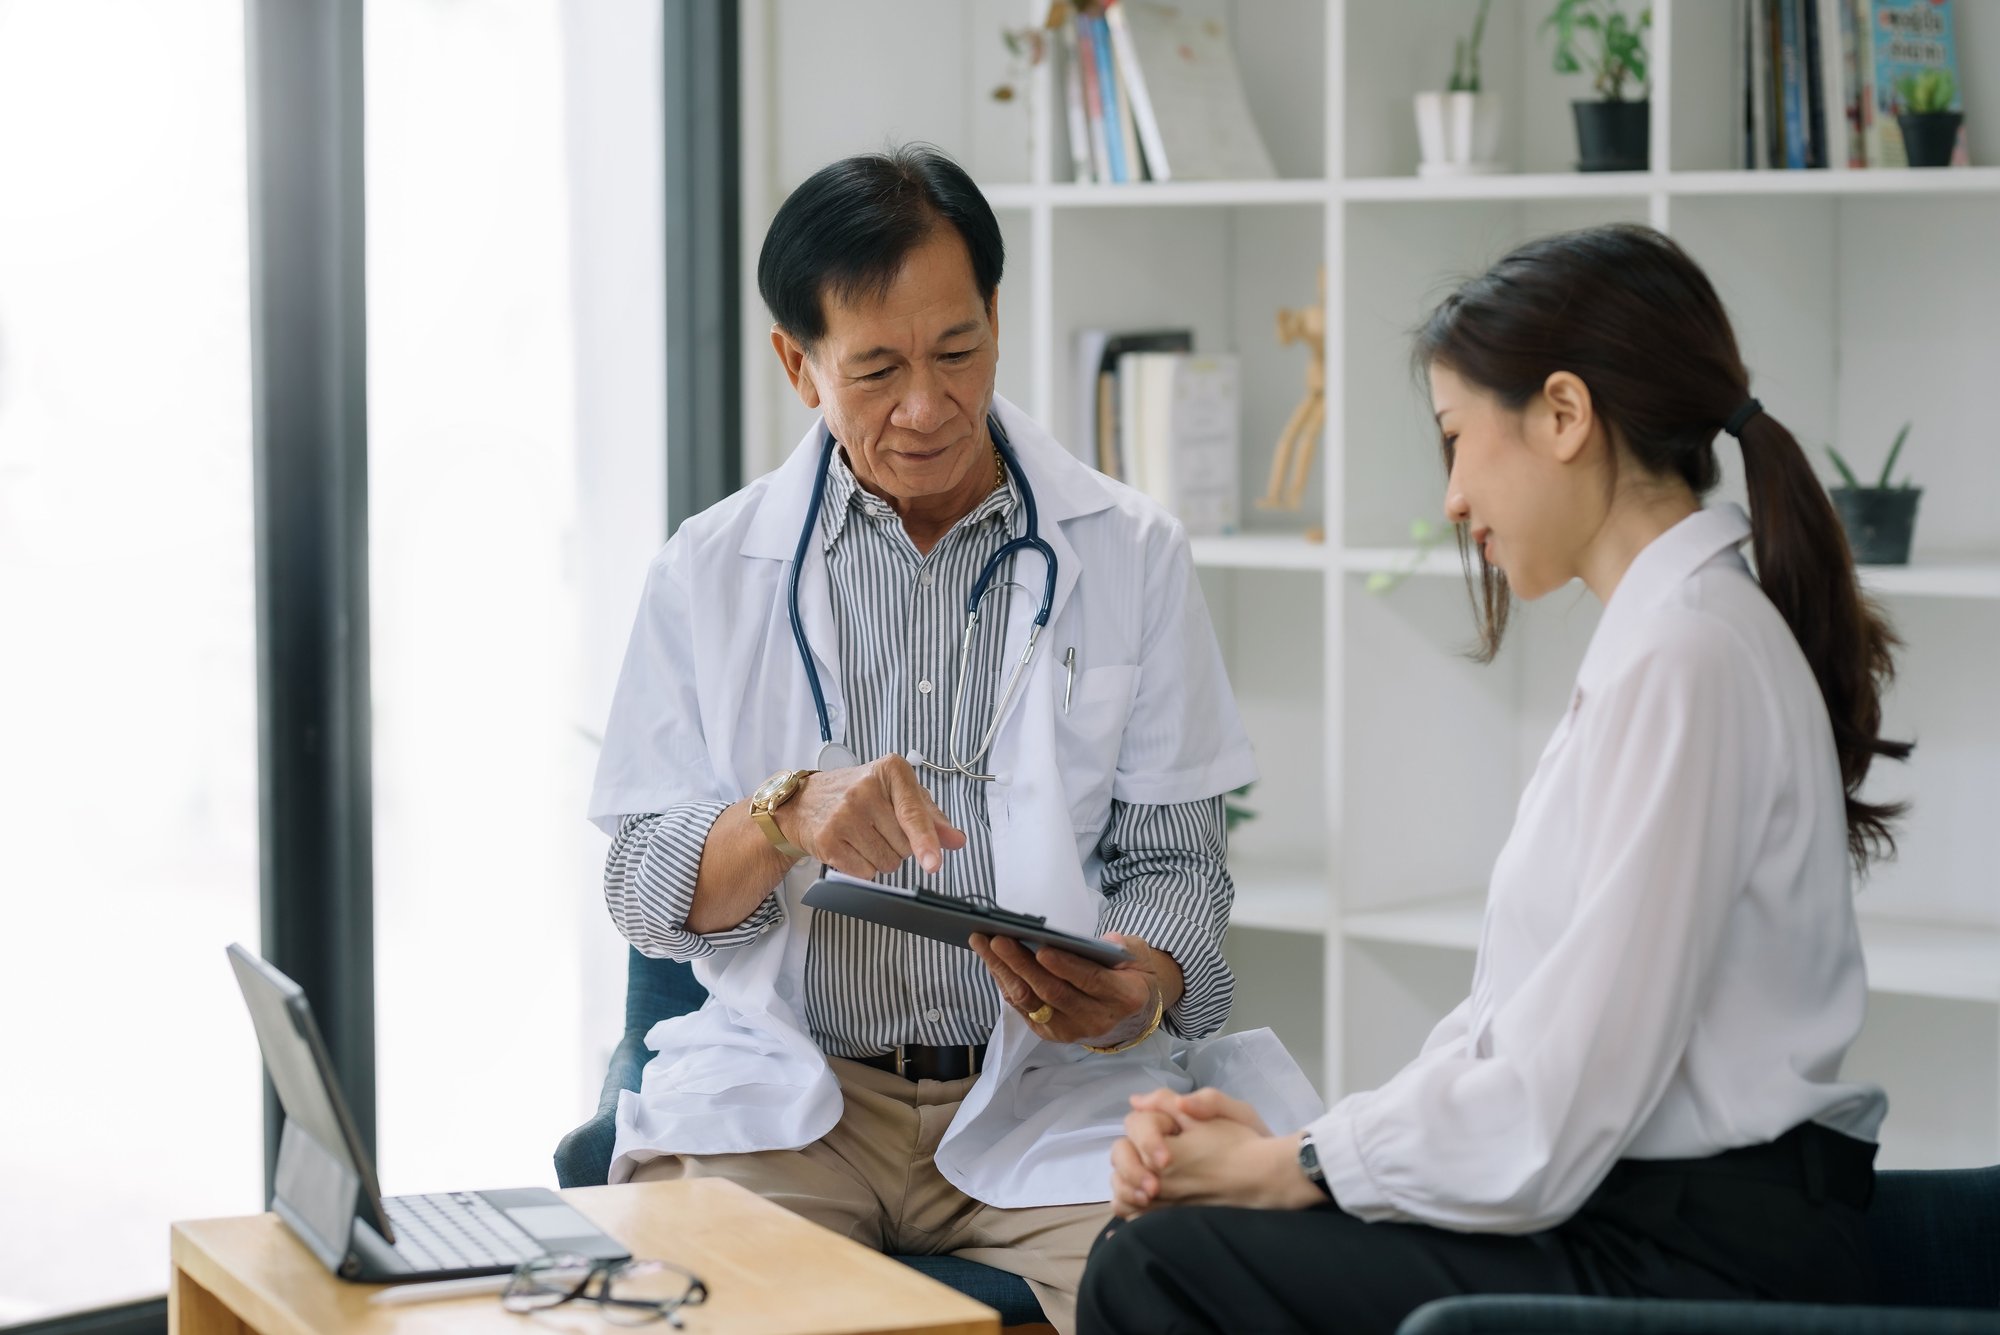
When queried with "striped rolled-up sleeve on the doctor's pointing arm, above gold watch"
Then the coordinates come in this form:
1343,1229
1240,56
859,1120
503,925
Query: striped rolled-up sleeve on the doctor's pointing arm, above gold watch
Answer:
651,876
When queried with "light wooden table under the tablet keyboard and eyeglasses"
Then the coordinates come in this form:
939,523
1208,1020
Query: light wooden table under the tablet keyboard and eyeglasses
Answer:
769,1274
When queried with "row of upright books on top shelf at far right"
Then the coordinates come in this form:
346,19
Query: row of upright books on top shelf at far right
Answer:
1819,79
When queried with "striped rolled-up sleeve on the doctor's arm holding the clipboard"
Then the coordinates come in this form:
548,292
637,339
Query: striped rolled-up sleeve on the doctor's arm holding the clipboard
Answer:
1167,880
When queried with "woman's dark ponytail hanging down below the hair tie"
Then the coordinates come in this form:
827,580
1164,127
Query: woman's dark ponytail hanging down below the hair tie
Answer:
1807,571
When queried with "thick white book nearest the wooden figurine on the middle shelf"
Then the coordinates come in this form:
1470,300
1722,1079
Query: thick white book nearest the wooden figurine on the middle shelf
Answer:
1181,431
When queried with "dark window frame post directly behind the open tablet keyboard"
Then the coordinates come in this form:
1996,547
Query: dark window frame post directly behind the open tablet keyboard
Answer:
311,469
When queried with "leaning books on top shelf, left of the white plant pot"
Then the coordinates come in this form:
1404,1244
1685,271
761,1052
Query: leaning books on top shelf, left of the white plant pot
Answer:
1153,93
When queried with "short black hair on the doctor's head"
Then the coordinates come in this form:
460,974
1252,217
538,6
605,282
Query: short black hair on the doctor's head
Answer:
851,225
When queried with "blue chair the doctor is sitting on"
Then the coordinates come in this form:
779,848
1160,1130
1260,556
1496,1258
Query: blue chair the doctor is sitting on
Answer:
663,988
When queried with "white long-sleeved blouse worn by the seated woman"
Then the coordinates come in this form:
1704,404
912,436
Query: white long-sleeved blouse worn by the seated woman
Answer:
1671,964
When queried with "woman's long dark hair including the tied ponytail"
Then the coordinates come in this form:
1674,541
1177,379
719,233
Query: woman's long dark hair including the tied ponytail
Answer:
1637,321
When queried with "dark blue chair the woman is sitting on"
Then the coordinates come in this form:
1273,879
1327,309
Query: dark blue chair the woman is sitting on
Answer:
1937,1252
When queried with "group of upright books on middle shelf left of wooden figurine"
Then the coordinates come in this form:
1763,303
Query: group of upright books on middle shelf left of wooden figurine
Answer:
1161,417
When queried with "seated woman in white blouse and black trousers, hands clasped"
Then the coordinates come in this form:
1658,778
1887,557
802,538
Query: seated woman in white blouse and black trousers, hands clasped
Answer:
1643,1092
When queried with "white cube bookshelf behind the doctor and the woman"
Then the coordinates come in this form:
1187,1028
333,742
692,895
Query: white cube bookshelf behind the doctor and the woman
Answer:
1861,299
